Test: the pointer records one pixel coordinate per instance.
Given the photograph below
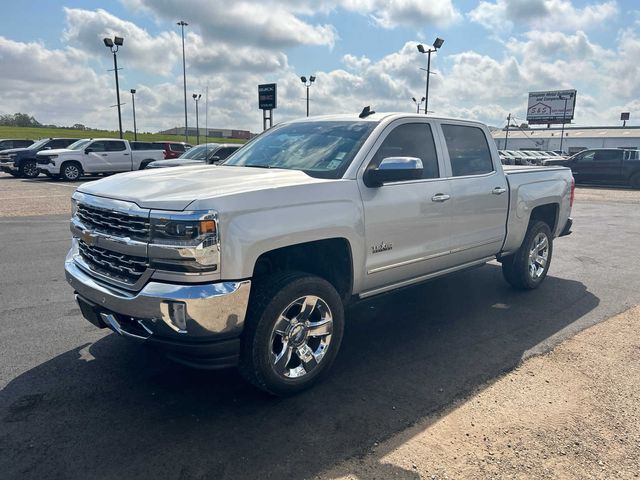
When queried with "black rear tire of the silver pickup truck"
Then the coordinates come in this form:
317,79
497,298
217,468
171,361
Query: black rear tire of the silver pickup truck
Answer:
517,268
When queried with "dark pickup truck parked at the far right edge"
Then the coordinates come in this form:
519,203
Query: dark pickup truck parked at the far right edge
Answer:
605,166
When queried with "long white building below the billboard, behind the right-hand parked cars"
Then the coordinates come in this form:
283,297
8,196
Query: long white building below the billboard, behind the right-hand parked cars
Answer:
575,138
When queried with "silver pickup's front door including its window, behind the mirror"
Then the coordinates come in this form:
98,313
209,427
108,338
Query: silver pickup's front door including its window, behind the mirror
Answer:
406,223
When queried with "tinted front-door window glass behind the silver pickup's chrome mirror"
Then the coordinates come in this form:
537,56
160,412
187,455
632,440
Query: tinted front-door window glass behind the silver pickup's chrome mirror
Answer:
411,140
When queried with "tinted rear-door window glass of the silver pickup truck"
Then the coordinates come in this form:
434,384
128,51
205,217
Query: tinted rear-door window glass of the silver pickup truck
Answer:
468,150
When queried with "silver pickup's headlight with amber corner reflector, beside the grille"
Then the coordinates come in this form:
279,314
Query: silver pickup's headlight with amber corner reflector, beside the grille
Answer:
185,241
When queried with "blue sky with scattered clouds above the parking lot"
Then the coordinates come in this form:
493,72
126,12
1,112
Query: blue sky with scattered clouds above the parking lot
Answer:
362,51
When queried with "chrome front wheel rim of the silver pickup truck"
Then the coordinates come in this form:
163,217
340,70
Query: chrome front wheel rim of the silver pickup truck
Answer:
301,336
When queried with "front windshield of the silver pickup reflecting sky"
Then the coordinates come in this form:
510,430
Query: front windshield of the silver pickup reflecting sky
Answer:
320,149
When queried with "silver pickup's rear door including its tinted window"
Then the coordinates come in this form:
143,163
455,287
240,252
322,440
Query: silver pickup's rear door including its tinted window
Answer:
479,193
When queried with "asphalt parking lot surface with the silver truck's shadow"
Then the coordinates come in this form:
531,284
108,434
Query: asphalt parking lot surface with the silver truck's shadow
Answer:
74,397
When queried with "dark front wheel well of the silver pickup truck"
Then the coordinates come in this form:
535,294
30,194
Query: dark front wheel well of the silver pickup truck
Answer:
329,259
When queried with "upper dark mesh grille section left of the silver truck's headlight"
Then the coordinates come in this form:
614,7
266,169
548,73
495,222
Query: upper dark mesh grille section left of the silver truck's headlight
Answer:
112,222
